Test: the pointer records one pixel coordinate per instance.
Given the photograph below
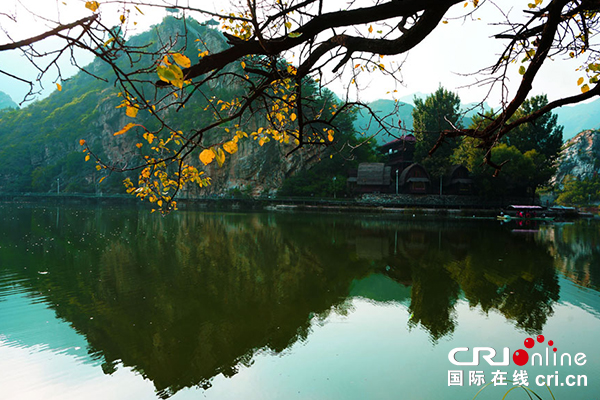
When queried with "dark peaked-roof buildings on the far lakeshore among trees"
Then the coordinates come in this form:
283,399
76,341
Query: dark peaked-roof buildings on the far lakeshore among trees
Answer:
400,174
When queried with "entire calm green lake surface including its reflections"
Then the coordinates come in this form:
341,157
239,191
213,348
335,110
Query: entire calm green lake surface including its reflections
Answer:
123,304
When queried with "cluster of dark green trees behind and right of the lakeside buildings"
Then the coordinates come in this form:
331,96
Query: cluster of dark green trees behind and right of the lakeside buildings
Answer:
530,151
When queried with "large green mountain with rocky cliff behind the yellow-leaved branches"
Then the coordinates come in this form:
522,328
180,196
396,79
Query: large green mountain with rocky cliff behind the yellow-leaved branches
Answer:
39,144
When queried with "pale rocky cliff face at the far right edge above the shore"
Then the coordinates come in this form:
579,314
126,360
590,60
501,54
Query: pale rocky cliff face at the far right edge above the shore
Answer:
580,156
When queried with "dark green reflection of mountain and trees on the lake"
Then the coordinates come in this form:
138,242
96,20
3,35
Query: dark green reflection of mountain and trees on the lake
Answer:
184,298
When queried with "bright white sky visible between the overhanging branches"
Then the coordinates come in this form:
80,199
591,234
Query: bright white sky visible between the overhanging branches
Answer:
460,47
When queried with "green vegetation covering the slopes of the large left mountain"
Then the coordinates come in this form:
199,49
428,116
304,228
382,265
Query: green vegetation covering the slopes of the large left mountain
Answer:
39,144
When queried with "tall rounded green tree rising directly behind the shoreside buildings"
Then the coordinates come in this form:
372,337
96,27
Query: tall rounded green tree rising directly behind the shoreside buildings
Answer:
438,112
